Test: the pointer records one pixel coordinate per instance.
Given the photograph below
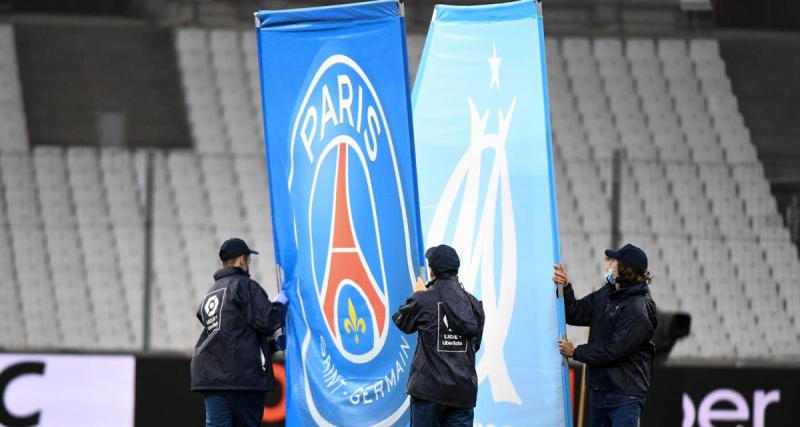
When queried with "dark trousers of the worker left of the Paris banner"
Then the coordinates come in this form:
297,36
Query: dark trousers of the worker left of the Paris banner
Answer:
231,408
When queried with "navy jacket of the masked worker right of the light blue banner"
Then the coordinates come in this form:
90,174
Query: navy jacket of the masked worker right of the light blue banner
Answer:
620,350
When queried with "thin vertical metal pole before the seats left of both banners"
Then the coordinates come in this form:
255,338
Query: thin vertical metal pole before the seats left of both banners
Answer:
148,243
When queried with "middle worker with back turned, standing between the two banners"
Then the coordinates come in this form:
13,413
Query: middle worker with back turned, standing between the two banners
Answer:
443,384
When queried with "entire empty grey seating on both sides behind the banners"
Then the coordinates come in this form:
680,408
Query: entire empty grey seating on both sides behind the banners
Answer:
694,196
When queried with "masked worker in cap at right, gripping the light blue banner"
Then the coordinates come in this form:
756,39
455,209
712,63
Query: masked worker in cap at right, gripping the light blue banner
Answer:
620,351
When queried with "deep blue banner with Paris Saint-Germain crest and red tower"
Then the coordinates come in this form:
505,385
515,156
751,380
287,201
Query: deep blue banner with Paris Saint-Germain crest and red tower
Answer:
346,229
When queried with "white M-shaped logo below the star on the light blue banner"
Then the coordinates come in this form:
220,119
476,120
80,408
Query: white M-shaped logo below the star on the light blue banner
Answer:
485,209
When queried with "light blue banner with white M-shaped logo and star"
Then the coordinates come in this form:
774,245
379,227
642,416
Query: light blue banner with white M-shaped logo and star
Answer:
484,162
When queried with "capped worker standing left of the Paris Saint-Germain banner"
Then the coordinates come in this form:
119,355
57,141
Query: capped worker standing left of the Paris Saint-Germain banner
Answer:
232,360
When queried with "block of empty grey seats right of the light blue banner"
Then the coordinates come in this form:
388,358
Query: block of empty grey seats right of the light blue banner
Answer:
694,194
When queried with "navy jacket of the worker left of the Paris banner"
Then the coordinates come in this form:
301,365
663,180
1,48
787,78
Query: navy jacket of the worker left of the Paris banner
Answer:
233,351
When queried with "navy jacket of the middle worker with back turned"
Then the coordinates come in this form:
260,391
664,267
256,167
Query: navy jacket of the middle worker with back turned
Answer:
449,323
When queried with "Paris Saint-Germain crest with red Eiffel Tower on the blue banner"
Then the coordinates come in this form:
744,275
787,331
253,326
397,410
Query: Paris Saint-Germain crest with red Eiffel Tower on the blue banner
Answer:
344,167
